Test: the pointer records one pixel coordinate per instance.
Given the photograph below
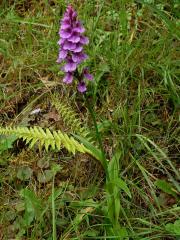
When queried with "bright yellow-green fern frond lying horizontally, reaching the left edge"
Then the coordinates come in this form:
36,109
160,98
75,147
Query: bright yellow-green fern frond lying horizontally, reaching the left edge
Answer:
46,138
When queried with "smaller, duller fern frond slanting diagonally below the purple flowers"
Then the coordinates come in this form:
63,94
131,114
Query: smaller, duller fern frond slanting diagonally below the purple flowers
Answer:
70,117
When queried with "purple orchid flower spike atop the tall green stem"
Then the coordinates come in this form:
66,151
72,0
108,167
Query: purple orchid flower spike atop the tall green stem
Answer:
71,50
